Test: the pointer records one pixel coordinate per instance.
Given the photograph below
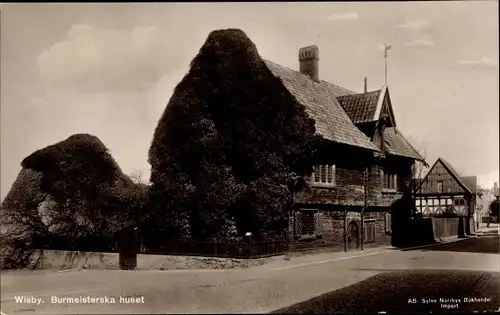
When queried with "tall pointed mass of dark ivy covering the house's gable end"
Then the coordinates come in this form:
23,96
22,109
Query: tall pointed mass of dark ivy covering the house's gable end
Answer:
227,144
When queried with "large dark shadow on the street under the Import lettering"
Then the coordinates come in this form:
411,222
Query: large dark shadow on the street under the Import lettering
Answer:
405,291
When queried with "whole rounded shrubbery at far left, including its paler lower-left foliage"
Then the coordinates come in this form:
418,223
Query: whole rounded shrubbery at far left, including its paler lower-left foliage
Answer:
72,189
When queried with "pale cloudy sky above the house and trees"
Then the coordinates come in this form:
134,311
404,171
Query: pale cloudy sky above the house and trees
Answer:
110,69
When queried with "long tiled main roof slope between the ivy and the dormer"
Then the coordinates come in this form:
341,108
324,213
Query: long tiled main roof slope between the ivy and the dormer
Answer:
320,100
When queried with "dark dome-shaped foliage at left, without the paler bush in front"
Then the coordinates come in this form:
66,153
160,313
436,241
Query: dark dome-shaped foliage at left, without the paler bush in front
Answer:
93,195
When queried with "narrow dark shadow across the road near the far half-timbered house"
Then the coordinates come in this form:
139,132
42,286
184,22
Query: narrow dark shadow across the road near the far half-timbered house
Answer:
487,244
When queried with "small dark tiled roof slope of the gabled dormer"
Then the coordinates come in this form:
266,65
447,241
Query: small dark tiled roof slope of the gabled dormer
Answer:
360,107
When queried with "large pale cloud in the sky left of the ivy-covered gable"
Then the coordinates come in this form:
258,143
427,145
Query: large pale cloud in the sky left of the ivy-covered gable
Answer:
92,59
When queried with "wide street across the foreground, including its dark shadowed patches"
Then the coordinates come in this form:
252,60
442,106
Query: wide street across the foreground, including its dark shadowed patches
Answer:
377,279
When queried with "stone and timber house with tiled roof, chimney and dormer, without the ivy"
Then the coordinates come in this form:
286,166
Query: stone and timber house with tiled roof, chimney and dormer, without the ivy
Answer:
363,167
